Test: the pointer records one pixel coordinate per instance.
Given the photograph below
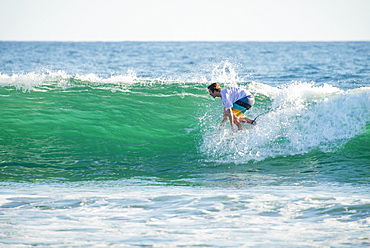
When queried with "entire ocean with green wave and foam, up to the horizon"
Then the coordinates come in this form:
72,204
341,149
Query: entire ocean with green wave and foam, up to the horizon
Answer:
117,144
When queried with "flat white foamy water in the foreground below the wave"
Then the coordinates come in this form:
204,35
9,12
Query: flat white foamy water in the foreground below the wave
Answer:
113,213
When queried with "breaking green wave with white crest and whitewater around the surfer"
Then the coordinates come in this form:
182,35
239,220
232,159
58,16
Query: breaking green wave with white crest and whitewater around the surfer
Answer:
73,129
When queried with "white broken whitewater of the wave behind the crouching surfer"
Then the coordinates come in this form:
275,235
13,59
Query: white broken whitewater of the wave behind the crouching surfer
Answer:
308,118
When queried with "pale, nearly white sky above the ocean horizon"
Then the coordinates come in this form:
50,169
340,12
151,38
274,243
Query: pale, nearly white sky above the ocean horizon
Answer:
185,20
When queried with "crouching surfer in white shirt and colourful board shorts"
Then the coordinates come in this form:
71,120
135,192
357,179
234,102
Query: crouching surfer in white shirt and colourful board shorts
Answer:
235,101
